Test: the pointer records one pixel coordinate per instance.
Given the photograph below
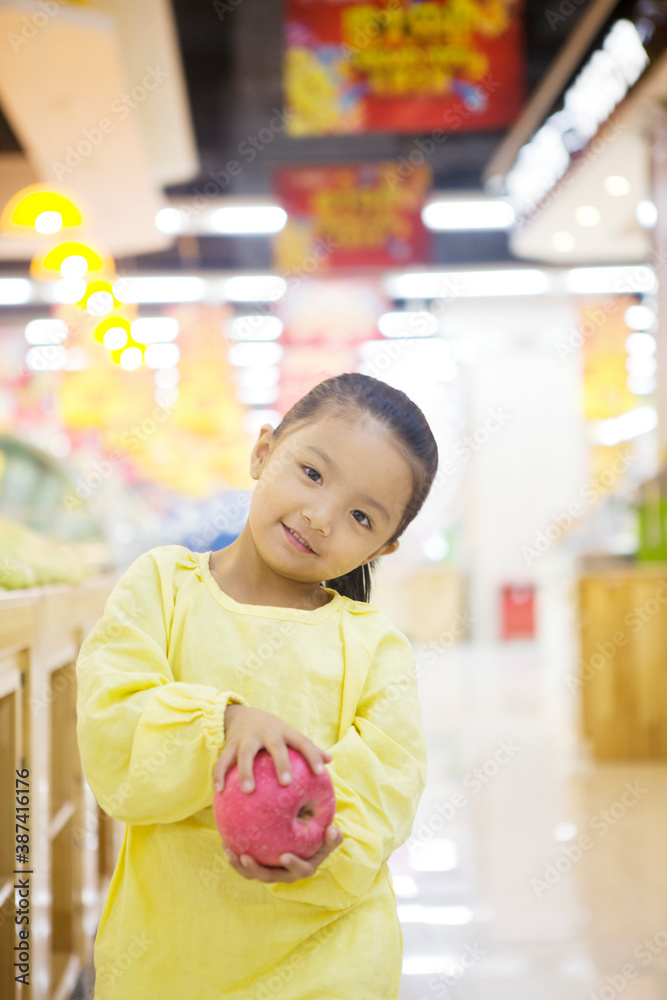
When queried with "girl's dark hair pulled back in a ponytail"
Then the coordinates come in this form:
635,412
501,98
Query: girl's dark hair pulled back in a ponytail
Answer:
402,418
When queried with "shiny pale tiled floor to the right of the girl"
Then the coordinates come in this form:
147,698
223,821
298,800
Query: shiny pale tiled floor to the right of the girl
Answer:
533,873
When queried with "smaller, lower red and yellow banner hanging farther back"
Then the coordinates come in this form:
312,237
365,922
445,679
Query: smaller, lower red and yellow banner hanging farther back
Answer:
358,215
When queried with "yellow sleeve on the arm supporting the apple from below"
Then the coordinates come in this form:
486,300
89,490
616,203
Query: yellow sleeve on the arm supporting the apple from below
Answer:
378,770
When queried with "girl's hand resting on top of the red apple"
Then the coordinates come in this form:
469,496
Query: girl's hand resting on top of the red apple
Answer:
248,730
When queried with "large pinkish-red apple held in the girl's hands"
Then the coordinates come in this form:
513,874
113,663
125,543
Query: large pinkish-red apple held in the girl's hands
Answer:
275,819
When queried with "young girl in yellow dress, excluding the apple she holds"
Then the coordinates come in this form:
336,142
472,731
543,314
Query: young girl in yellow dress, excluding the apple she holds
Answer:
202,659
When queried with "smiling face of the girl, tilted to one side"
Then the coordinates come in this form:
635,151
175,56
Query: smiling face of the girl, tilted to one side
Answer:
329,496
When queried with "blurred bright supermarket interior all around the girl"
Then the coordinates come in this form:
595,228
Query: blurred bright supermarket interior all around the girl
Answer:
208,207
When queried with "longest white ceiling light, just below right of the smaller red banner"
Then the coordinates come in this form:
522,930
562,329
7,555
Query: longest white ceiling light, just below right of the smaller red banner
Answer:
467,284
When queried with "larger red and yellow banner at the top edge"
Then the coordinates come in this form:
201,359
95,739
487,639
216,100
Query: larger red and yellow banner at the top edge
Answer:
402,66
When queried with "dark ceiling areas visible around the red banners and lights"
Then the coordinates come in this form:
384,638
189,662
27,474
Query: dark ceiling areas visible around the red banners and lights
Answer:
232,65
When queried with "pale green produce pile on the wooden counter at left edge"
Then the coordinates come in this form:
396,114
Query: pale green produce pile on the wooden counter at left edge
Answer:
30,559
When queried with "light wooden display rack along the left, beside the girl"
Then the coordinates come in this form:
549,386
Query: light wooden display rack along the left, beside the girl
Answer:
73,844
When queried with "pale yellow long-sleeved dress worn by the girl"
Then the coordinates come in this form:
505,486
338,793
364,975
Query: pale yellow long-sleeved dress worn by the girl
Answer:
155,675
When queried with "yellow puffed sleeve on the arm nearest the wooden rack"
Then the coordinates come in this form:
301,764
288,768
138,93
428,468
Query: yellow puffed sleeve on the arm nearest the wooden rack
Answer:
148,743
